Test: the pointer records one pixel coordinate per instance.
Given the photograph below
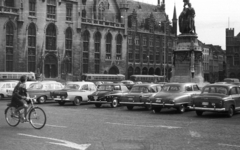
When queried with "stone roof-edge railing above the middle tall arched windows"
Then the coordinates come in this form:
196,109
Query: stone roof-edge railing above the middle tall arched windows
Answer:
103,23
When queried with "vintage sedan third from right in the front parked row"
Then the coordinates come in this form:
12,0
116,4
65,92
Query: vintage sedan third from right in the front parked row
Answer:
139,94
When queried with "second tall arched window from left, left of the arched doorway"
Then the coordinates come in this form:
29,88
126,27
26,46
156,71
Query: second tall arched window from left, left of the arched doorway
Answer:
32,48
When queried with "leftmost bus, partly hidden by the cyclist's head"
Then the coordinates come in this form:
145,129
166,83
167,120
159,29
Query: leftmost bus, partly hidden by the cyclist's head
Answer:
16,75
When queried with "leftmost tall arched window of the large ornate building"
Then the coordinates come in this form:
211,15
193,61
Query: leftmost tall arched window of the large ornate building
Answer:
9,46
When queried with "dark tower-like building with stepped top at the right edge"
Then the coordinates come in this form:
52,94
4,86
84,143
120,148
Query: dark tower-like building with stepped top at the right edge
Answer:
232,54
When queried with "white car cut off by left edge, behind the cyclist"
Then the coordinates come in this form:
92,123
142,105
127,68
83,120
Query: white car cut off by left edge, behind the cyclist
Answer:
6,88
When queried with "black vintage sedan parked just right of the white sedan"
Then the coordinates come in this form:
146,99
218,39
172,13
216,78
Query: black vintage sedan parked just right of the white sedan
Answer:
108,93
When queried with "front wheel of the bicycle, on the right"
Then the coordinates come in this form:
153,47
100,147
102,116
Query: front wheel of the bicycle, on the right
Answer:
37,118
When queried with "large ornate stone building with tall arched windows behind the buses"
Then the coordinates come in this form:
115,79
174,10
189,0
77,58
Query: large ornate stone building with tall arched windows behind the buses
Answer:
59,37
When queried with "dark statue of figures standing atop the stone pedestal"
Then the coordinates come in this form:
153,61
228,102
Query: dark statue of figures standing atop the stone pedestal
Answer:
186,19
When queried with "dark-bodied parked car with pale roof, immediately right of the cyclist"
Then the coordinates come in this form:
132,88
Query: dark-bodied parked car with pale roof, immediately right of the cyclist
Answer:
41,90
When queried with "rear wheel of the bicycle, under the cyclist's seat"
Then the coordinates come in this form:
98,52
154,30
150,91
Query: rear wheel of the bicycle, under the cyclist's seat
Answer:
11,117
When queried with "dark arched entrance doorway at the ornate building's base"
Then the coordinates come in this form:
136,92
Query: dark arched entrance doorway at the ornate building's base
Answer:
51,66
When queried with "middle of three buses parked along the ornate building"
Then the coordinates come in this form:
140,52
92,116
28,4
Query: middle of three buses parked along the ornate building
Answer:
103,77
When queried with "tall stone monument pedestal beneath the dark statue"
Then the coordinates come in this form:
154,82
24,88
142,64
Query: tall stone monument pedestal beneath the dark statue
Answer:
187,61
